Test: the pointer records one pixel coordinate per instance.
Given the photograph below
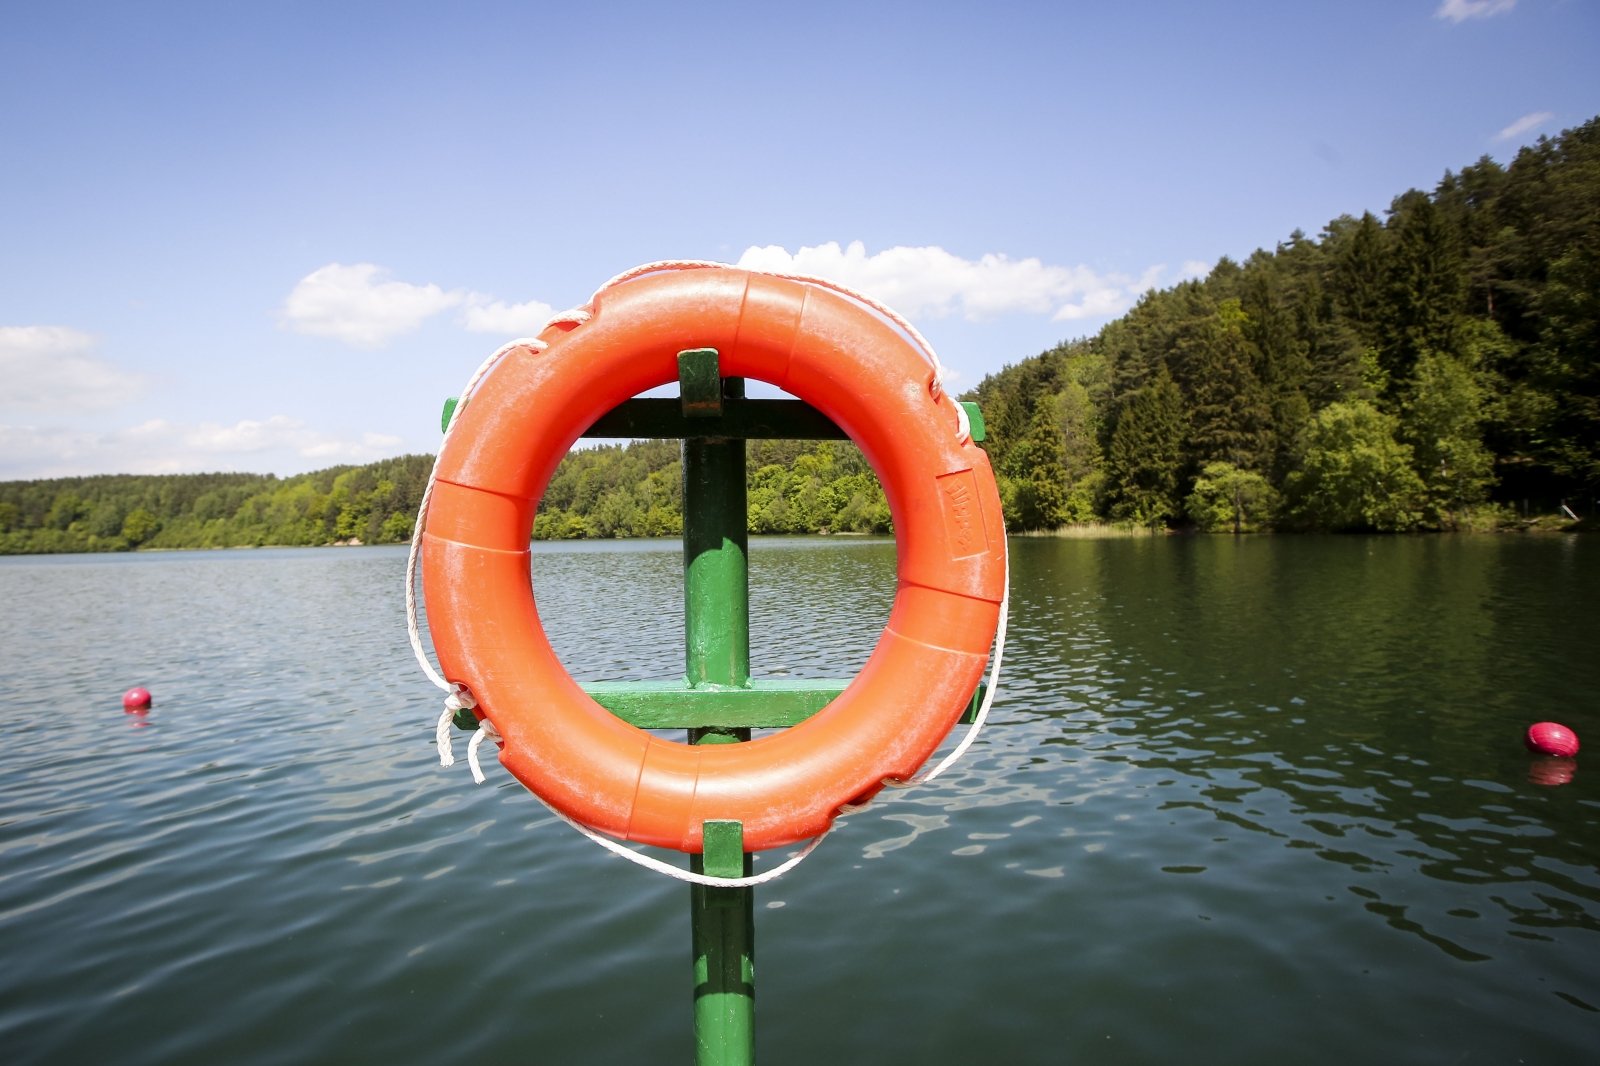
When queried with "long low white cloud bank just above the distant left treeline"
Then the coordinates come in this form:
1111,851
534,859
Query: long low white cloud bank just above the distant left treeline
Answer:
279,444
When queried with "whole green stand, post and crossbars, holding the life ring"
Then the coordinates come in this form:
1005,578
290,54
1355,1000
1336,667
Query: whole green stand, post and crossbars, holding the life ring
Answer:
718,702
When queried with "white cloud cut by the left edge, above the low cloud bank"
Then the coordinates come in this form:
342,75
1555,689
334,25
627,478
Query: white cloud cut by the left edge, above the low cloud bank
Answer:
54,369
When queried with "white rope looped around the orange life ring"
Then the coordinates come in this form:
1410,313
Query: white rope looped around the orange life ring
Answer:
458,697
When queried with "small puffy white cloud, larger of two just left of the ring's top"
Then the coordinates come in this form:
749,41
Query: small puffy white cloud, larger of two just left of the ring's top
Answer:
358,305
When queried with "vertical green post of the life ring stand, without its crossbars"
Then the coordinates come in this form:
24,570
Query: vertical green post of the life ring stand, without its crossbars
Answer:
718,654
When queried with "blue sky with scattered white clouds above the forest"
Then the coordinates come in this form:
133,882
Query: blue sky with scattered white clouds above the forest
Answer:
276,236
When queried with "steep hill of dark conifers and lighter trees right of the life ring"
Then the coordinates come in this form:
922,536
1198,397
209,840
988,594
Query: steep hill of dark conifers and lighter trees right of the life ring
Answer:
1434,369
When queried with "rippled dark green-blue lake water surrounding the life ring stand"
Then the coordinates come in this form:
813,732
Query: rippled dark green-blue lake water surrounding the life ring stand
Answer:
1247,801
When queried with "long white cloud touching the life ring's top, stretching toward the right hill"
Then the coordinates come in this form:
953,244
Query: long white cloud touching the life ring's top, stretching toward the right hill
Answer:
932,283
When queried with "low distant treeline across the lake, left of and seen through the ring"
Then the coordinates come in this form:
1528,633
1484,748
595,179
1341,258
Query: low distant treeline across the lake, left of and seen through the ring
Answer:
612,491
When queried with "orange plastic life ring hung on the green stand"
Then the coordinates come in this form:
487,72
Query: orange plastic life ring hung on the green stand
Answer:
847,363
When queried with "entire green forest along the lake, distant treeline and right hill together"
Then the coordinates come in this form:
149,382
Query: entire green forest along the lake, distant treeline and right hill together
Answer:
1434,369
